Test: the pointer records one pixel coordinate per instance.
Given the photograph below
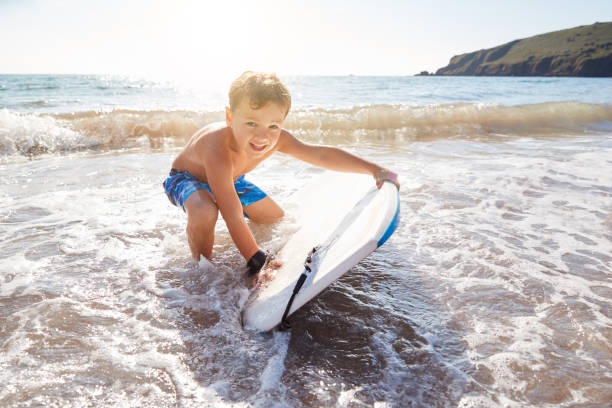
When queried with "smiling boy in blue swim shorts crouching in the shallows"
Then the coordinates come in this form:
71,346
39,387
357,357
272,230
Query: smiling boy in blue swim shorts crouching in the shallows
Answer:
207,177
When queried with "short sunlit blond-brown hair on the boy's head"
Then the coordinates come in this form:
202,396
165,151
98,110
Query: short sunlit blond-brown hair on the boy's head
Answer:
259,88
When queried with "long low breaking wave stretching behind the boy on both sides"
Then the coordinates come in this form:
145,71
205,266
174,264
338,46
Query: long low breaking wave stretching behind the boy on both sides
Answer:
30,134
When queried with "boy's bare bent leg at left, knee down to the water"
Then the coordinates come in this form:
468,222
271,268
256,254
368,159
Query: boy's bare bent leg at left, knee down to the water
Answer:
202,214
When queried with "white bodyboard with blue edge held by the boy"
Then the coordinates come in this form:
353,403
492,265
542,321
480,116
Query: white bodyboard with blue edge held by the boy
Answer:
346,217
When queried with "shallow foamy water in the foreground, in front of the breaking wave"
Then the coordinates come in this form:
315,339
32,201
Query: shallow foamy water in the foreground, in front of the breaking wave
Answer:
494,291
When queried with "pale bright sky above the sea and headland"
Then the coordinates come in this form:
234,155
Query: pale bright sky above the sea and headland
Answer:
211,39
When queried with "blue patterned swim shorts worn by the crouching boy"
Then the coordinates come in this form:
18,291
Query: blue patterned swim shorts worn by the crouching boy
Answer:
180,184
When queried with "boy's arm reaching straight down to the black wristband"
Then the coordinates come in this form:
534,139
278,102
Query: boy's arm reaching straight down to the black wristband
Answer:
217,163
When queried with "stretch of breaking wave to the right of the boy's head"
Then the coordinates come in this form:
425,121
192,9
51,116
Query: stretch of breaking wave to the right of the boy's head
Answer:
456,121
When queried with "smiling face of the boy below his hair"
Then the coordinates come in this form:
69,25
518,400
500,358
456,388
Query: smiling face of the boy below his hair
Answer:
256,131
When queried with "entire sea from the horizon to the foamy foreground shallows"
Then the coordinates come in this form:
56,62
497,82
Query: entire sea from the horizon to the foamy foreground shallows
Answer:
494,291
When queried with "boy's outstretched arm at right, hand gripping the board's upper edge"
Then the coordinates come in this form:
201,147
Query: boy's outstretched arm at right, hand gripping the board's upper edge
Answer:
333,158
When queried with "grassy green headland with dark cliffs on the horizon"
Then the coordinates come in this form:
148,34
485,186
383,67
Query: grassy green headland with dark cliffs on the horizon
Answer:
579,51
